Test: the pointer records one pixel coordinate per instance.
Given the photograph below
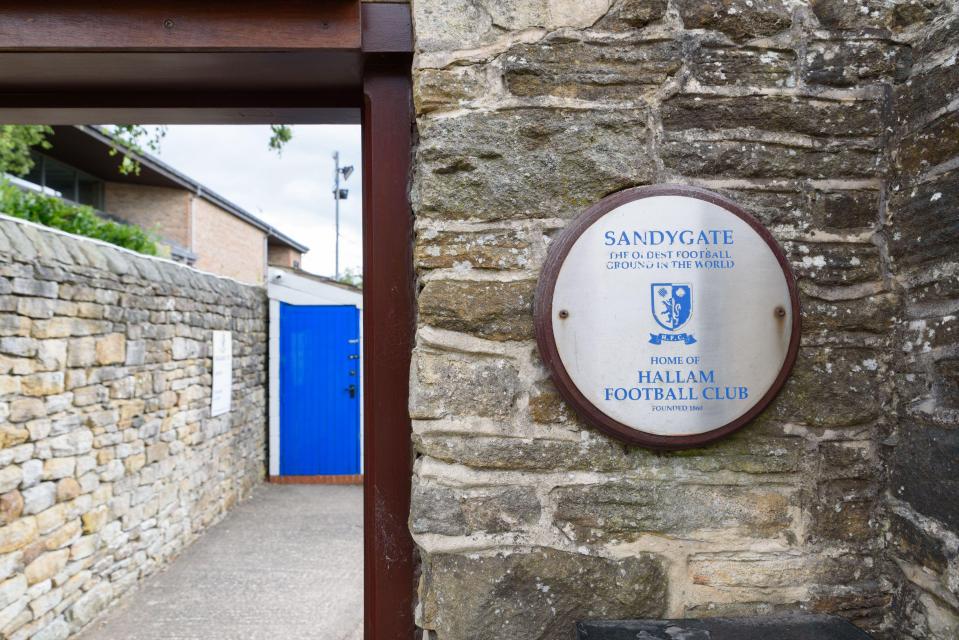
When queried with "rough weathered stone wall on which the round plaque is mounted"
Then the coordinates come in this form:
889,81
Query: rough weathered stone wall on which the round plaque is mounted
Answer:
527,112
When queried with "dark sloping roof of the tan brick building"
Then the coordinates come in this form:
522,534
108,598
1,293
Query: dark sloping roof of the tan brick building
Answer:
88,148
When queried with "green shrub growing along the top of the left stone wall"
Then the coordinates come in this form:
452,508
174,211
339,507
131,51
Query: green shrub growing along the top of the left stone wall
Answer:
72,218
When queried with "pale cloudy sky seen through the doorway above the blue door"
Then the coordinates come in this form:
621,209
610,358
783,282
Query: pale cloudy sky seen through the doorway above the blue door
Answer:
292,192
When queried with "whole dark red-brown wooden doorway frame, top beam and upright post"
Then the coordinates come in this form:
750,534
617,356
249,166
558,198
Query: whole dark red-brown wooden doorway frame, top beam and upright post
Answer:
242,62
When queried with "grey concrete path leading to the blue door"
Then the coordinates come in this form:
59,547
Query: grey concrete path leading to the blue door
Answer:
287,564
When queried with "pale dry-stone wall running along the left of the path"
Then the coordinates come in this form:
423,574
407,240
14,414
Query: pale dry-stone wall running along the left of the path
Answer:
109,460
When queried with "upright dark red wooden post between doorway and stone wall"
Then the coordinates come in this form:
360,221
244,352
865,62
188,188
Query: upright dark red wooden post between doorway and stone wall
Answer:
388,318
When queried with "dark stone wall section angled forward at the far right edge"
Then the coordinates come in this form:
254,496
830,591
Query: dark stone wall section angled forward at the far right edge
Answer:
923,219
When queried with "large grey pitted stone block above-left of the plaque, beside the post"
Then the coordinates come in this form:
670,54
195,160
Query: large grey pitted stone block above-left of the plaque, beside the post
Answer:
461,162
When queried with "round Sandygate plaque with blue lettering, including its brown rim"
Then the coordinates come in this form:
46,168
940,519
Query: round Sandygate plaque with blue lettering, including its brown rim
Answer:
667,315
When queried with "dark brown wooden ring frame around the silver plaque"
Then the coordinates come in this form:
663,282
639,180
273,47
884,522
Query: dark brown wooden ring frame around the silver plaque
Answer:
543,319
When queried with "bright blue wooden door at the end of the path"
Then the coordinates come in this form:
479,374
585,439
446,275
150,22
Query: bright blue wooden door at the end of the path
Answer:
319,390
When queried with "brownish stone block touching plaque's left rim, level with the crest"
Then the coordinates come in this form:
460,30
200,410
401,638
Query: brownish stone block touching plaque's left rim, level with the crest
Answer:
495,310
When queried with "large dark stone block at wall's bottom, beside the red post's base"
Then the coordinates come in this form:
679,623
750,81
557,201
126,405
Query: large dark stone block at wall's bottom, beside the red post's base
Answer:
537,594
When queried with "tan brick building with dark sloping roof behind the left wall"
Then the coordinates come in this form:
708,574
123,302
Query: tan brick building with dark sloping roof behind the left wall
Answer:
200,227
